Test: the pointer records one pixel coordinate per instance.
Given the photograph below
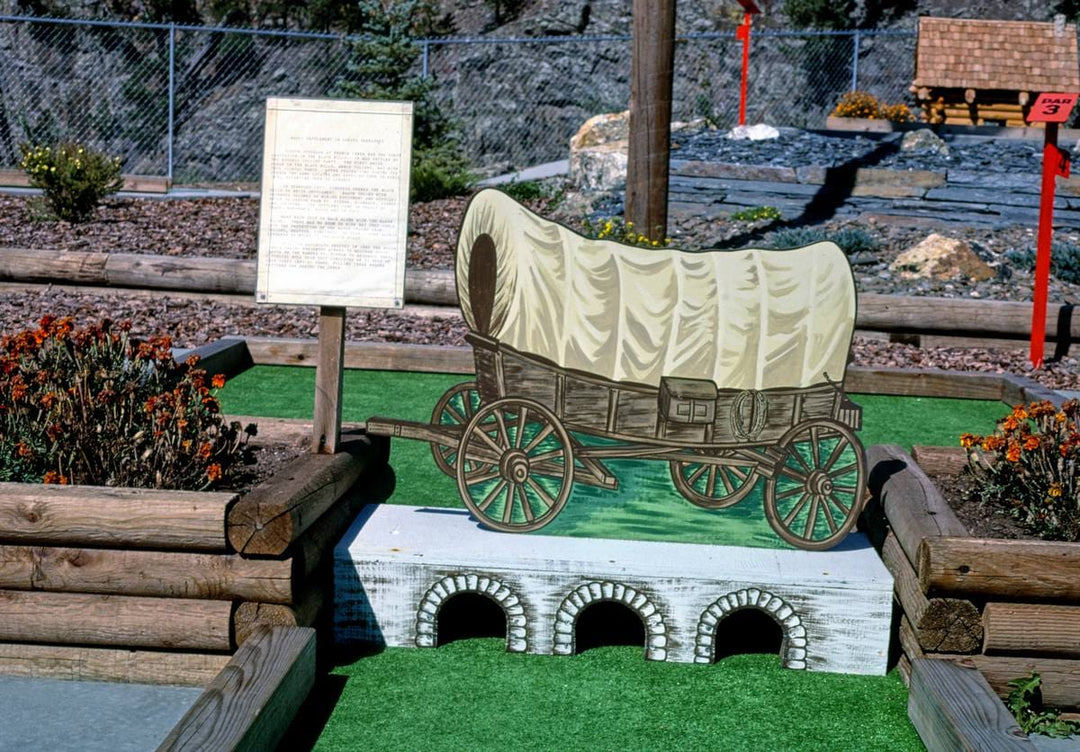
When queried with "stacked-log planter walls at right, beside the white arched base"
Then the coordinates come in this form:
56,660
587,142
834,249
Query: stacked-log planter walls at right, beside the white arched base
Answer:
1005,608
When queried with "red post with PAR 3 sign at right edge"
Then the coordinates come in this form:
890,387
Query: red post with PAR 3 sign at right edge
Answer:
1051,110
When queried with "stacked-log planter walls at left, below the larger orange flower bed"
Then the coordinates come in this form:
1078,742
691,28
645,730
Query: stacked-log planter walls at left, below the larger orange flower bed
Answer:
161,587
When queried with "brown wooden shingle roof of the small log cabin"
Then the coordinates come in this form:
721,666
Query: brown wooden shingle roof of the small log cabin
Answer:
1011,56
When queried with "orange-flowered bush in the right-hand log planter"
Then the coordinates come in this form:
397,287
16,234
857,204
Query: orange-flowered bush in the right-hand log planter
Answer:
1030,468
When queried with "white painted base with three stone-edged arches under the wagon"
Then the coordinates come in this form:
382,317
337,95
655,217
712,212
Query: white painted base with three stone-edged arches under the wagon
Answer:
398,566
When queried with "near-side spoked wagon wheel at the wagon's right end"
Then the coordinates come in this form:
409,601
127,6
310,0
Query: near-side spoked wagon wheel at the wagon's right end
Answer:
816,494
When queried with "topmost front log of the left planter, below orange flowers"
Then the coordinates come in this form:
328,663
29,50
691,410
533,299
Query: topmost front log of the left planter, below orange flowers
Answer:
115,518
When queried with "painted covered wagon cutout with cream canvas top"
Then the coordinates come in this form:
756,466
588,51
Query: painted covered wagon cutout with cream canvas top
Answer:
727,366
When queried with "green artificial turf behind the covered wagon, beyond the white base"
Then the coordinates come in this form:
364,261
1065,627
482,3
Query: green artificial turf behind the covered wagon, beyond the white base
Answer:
646,507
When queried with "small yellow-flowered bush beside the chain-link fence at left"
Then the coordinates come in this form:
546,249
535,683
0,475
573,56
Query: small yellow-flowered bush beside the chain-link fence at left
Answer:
74,179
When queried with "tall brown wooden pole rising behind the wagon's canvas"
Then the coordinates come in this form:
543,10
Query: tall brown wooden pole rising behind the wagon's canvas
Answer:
651,116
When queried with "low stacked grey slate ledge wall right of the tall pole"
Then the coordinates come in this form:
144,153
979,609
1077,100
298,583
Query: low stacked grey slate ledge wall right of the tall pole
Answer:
815,193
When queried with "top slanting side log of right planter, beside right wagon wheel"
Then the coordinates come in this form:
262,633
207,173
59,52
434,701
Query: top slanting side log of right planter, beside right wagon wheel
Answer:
911,502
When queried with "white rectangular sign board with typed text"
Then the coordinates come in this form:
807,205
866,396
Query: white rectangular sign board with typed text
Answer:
334,213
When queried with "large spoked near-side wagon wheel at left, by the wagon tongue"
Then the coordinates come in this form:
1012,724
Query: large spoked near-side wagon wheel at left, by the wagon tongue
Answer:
518,466
